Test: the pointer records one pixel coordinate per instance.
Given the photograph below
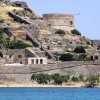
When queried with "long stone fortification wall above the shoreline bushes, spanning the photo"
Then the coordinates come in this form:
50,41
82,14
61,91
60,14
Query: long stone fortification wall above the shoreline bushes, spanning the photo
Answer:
24,73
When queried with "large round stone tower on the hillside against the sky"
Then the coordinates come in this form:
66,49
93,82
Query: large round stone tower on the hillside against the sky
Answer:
60,21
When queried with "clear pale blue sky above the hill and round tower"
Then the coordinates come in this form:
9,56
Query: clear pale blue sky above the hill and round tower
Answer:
87,22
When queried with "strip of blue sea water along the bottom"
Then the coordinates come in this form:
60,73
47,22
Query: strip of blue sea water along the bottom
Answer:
49,93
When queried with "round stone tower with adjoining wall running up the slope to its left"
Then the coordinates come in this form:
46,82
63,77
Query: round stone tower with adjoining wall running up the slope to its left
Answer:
48,22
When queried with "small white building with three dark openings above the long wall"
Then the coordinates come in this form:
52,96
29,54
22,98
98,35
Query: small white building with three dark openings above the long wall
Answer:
37,60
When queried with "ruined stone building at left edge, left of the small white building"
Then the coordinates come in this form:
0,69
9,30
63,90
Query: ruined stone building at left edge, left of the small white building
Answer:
12,56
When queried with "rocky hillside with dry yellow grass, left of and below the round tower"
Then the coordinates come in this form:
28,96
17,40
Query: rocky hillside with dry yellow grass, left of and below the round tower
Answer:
18,20
